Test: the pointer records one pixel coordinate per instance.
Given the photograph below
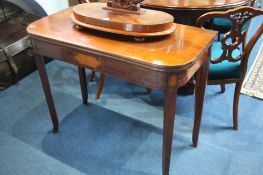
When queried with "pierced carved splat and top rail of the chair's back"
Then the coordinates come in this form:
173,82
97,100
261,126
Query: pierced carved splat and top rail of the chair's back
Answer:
233,40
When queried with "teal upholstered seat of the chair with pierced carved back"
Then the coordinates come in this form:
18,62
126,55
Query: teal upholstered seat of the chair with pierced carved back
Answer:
225,69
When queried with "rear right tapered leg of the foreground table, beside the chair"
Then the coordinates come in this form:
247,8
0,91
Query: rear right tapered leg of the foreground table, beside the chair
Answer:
201,81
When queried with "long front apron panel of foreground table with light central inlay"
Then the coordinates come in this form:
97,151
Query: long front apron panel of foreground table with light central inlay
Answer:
103,63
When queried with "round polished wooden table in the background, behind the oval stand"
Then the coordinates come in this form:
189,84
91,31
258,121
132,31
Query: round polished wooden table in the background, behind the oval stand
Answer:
188,11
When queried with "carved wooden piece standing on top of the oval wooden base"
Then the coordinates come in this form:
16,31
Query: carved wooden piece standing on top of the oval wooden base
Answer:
128,6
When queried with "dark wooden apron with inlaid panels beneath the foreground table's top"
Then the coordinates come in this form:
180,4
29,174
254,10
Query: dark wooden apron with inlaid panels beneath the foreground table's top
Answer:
105,64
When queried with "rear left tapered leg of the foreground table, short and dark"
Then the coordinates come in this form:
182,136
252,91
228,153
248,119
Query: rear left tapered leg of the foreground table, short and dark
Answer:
83,84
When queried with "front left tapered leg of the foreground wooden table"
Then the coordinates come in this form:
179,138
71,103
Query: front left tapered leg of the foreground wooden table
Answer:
47,91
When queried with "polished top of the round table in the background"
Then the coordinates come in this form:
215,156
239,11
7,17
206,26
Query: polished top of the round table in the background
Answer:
196,4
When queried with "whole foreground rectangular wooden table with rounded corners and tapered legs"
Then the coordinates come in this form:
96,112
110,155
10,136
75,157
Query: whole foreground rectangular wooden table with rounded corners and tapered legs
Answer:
164,63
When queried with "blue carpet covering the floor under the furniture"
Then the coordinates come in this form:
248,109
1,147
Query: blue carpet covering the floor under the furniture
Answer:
121,134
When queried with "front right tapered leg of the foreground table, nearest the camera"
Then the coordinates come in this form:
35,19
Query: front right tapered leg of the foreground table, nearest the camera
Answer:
168,126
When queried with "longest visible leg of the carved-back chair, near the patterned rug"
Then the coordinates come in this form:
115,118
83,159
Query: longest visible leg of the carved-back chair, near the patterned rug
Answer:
235,105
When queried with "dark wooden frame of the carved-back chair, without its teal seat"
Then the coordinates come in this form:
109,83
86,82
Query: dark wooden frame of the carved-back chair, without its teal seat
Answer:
238,17
